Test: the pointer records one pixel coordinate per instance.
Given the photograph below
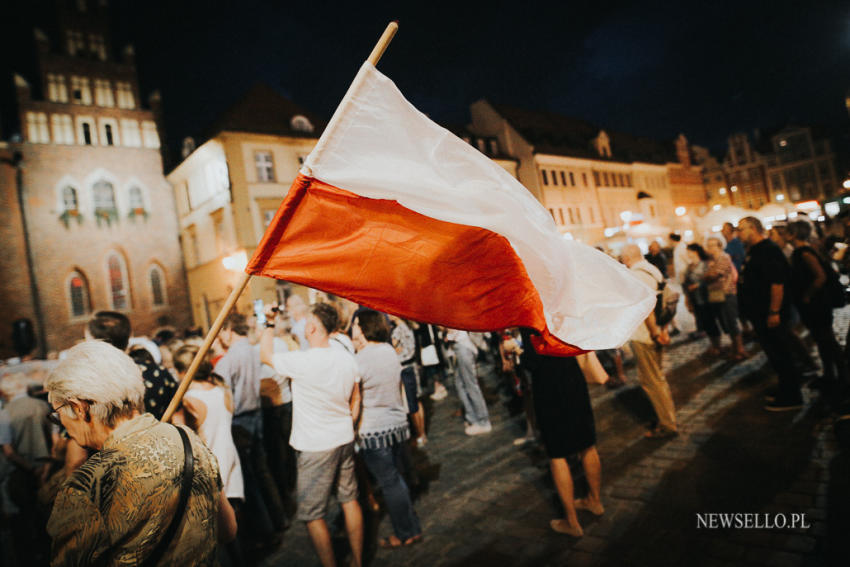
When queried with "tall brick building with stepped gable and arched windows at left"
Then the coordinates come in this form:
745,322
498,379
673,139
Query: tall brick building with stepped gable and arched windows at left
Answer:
98,215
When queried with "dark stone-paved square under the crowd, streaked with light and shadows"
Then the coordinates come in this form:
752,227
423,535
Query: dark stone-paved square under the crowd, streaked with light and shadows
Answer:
485,502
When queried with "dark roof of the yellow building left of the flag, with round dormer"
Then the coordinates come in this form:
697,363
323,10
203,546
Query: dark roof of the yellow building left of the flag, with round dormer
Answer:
262,110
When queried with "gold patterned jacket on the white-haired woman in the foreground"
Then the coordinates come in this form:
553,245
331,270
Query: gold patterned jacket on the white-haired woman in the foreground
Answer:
114,508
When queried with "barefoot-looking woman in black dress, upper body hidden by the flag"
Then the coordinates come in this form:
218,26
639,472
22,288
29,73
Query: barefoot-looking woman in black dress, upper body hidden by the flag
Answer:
565,420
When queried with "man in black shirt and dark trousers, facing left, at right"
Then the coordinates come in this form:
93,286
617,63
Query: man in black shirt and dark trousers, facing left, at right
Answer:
764,302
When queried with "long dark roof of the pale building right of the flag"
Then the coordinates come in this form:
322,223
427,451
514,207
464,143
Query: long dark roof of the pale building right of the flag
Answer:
552,133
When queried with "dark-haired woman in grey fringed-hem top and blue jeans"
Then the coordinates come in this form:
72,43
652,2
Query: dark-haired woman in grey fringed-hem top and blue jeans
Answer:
383,428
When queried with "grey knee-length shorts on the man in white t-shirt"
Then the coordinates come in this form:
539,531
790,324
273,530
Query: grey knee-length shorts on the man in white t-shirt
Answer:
318,473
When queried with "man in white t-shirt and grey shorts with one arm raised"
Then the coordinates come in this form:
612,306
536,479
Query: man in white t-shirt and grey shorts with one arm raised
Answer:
325,405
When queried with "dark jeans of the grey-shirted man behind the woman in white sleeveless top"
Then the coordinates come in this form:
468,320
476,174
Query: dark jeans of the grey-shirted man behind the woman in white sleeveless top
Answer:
263,509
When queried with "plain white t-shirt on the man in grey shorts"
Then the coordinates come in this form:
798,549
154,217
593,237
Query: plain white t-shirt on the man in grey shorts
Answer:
322,382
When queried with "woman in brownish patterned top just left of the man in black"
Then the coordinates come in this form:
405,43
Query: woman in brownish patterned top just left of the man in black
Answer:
721,282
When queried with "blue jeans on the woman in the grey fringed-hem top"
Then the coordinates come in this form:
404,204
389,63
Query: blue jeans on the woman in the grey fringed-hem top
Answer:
385,465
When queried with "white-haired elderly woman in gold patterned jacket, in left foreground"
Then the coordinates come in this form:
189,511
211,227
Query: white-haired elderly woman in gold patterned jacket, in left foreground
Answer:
122,506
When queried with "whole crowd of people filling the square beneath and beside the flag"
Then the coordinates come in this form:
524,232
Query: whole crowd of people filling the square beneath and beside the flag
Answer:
304,407
